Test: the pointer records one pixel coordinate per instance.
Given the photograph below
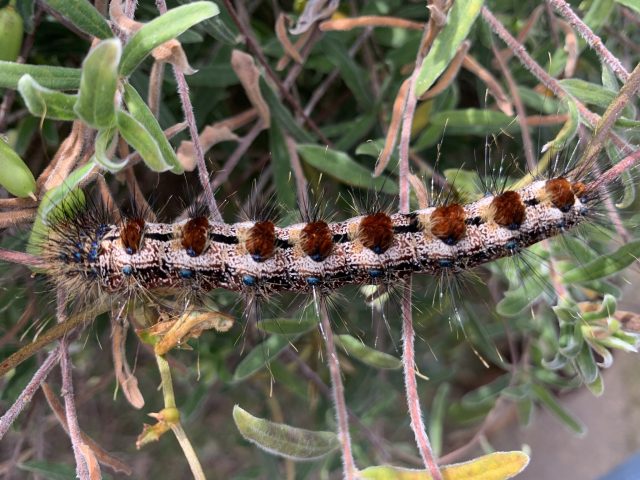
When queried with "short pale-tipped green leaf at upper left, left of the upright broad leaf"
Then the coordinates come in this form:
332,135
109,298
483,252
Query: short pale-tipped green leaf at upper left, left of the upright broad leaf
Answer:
46,103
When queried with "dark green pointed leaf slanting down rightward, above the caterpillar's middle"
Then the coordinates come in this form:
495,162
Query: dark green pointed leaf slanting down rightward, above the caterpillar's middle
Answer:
339,165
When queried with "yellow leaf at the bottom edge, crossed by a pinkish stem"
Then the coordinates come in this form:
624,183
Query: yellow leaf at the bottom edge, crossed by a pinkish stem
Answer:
494,466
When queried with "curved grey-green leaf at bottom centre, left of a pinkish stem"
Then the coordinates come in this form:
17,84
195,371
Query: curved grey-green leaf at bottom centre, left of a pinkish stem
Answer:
283,440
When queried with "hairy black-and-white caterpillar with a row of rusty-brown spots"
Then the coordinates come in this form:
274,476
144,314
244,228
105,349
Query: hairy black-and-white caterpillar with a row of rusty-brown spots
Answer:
262,258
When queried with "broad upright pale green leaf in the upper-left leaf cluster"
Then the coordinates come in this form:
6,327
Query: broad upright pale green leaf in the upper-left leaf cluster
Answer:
98,84
